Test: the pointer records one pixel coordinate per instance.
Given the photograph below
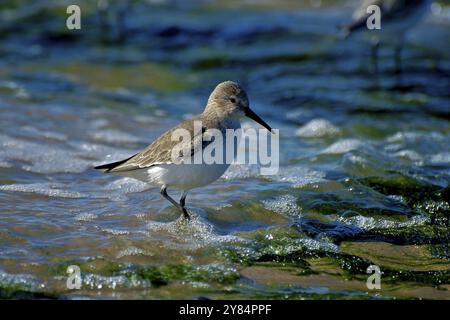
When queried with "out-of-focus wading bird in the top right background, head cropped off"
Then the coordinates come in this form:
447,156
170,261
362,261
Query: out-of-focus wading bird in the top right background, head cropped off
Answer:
398,17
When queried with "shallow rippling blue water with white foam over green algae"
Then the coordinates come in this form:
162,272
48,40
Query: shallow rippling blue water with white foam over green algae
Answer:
365,159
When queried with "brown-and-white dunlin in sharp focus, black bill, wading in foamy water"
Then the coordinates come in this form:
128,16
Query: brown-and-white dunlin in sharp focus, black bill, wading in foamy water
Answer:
226,106
